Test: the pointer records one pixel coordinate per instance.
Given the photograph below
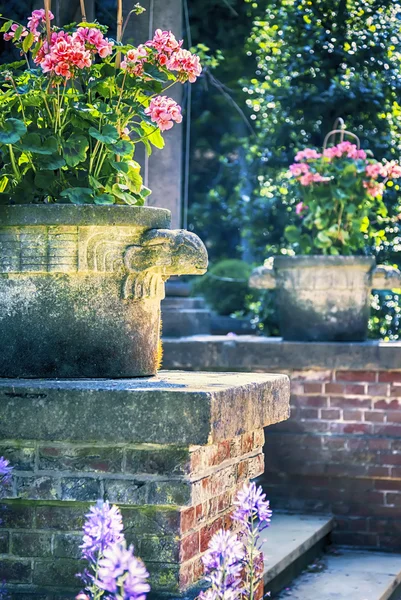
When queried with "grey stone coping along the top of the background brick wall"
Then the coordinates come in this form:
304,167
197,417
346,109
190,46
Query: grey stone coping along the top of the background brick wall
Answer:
263,354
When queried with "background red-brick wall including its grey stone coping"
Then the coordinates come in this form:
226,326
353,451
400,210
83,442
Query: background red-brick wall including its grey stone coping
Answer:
340,451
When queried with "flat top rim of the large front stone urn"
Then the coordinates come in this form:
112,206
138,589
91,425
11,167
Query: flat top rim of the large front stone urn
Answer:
148,217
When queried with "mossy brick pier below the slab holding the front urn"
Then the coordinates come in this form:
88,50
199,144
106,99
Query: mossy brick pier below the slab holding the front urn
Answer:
173,500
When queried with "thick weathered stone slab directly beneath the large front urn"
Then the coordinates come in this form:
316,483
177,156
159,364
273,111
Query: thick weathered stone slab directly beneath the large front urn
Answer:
174,407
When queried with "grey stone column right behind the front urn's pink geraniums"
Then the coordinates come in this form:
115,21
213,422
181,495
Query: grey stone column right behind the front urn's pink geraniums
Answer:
163,169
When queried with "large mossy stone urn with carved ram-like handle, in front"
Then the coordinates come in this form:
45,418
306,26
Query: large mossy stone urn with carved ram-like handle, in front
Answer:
80,288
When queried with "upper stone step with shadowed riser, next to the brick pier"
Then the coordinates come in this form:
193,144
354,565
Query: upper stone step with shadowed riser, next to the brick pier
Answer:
290,544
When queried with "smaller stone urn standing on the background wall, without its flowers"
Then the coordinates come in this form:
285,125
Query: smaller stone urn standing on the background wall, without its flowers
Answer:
324,298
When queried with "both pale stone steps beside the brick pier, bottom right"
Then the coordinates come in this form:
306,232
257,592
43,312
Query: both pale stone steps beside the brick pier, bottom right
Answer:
301,564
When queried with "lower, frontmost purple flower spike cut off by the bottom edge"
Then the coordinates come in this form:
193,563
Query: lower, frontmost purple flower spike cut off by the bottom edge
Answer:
121,573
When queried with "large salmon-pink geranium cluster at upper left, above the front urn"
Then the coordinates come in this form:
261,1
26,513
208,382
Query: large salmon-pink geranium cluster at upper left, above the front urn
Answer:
70,52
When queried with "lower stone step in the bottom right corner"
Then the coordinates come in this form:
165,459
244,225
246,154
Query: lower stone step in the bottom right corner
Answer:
349,574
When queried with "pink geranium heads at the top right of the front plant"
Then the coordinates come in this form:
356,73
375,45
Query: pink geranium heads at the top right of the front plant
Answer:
169,54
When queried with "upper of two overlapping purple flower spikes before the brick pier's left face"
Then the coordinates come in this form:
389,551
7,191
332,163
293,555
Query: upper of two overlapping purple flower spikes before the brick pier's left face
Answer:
103,528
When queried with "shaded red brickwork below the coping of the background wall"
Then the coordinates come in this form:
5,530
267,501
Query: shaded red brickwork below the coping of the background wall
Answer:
340,452
